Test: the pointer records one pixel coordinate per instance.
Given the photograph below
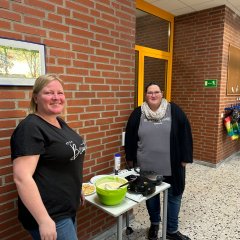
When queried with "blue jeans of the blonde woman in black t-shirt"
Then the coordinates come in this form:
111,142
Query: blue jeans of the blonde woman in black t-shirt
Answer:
66,230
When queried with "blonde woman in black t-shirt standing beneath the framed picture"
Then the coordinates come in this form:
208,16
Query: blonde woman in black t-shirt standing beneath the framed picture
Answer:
47,165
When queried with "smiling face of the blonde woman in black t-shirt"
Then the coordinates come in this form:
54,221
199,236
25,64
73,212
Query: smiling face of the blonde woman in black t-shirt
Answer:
51,99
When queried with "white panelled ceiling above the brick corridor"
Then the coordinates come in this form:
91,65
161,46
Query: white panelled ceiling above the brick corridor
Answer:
180,7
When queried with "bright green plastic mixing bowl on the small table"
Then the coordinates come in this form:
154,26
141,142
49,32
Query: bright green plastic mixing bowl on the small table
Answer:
111,197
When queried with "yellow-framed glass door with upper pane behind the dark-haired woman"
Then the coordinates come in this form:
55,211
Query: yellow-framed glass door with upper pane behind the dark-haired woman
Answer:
154,40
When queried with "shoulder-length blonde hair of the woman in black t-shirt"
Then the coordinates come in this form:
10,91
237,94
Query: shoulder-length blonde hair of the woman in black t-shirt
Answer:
39,84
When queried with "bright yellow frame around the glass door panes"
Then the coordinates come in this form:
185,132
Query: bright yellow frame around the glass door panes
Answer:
144,51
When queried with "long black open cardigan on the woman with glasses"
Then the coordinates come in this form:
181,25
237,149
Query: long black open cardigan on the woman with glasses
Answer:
181,144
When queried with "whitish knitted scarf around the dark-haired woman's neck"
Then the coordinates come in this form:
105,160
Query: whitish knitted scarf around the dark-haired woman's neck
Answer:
159,114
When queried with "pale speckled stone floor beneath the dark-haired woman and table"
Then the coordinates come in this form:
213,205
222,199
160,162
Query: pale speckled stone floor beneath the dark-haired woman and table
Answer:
210,207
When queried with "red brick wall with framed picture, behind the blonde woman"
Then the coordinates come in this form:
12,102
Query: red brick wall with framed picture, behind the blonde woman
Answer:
90,44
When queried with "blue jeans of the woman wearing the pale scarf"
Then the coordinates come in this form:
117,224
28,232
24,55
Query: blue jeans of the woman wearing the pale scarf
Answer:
173,208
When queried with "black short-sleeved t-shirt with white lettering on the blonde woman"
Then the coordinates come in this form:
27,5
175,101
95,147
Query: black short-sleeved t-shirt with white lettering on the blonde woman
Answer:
58,174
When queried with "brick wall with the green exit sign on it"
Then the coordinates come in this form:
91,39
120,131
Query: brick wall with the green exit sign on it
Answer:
200,52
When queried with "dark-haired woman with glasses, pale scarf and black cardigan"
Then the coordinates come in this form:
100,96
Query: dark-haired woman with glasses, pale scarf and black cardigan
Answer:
158,138
